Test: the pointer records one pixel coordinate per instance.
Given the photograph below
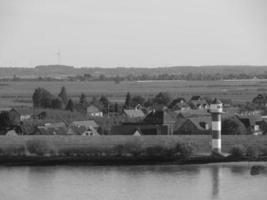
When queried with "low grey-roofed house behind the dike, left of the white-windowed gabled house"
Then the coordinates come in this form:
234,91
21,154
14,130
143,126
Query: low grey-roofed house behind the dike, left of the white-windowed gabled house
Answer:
58,128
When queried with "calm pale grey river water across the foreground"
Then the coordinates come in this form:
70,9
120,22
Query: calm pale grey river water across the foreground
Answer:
213,181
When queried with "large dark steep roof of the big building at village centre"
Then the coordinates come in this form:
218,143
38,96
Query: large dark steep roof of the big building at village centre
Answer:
160,117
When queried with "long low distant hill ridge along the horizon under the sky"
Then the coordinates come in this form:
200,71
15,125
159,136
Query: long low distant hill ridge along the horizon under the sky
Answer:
65,70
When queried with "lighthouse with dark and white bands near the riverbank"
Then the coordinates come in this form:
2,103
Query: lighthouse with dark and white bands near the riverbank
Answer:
216,111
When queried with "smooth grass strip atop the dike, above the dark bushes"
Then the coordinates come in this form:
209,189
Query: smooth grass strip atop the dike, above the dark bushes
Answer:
201,144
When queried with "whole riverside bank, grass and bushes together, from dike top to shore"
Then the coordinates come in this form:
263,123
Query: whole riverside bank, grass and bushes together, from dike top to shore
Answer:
114,149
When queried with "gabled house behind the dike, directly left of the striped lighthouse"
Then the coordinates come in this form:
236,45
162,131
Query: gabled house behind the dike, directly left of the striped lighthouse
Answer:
195,126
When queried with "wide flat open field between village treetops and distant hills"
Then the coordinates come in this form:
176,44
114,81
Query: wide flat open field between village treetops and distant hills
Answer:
20,92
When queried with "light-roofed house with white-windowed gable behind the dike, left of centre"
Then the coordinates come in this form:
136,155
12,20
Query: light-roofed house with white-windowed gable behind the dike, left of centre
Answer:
88,127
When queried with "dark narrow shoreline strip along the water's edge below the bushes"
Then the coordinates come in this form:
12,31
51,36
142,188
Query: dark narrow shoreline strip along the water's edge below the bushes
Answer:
114,161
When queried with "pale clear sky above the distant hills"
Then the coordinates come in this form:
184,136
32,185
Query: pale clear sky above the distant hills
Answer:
133,33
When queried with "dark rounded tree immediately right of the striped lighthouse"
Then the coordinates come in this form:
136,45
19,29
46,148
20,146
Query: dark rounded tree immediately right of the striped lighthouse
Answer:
232,126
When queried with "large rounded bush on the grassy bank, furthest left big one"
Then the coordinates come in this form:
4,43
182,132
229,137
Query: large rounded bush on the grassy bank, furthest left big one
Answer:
40,148
